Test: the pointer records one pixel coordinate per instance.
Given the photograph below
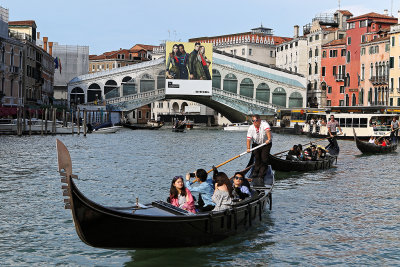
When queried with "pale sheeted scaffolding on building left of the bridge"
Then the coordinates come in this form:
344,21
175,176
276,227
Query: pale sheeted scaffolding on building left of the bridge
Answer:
74,62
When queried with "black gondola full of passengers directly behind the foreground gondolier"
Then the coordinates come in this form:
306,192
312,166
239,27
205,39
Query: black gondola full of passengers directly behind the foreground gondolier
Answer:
284,165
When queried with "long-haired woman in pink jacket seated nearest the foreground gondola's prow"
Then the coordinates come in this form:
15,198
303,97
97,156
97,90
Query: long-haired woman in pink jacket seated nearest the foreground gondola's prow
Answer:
180,196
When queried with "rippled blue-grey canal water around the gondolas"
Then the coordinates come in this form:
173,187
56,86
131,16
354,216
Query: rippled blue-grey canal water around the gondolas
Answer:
348,215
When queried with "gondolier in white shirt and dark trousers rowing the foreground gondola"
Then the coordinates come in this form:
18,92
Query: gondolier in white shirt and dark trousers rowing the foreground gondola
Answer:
259,133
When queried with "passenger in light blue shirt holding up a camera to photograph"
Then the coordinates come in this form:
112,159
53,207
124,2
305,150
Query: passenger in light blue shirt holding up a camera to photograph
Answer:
204,188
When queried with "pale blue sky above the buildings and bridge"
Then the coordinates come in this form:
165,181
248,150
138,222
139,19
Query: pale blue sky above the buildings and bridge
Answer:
106,25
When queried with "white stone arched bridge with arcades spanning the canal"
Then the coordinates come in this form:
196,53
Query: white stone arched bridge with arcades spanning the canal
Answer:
239,87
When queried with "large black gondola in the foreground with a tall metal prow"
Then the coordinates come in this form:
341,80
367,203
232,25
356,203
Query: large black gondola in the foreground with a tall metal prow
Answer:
157,224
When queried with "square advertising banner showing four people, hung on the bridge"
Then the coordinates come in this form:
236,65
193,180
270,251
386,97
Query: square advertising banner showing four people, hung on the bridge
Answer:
188,68
